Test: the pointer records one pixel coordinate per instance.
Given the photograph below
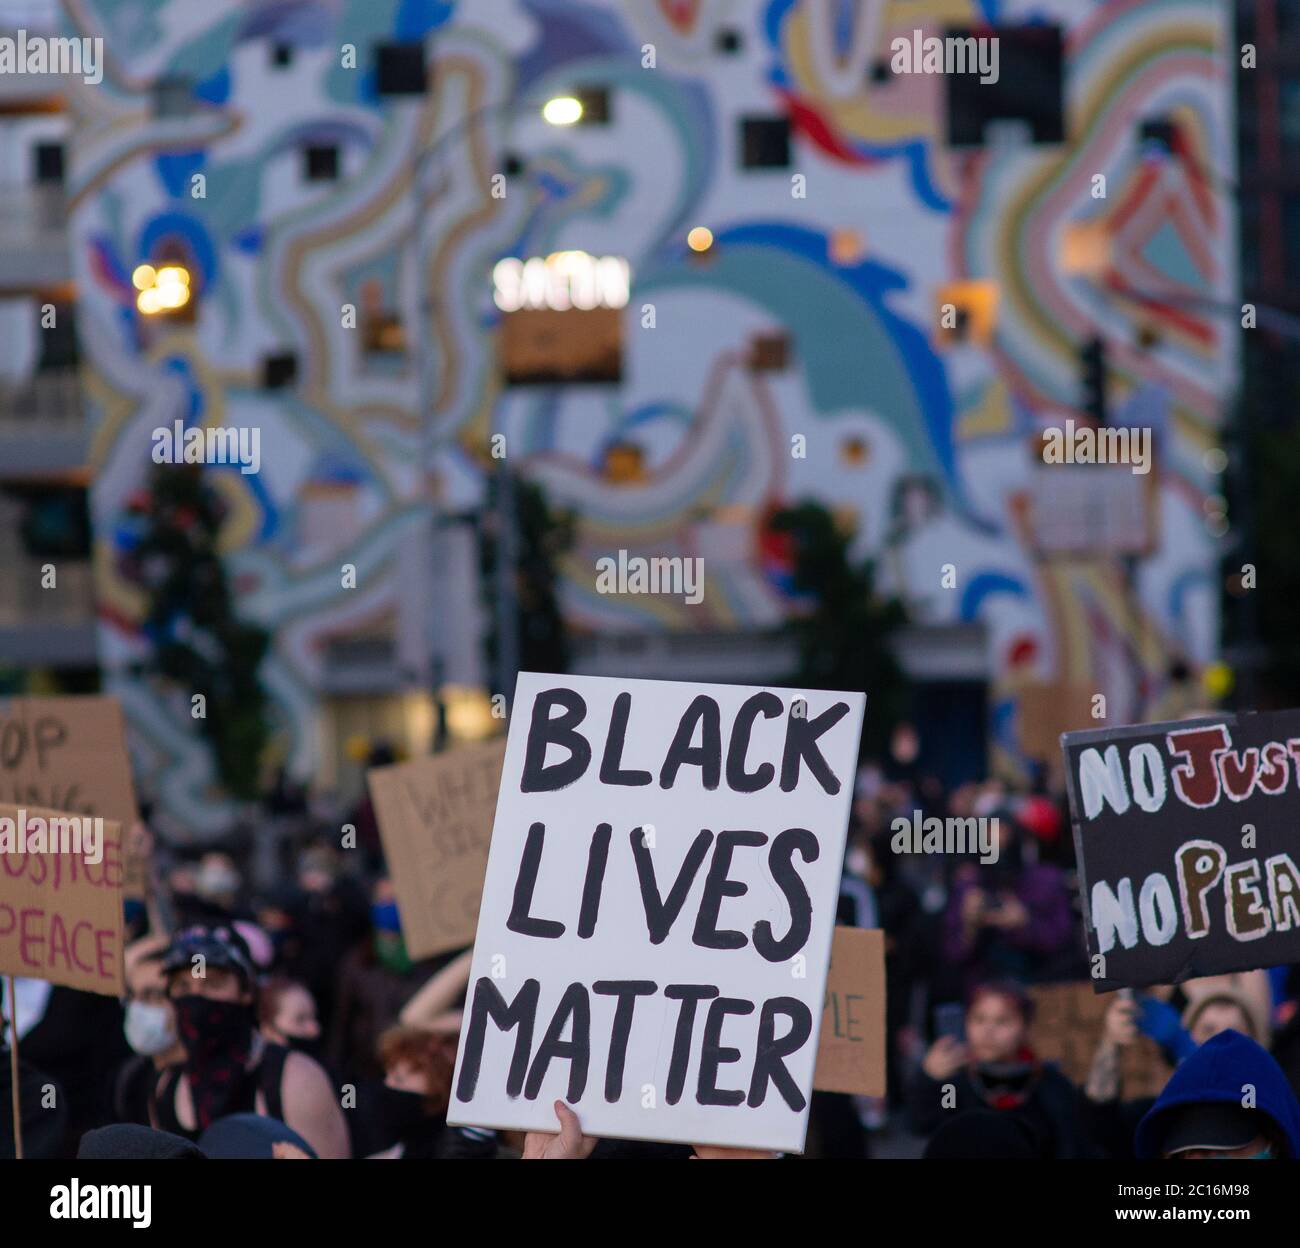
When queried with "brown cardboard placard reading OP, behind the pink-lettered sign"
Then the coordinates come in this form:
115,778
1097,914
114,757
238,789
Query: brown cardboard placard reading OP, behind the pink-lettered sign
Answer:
70,755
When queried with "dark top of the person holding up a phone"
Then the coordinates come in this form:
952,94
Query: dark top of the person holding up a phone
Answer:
1050,1107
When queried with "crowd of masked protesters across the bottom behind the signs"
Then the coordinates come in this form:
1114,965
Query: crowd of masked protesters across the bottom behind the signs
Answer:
285,1020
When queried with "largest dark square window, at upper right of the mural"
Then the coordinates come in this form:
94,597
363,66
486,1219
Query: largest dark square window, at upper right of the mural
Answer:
1029,89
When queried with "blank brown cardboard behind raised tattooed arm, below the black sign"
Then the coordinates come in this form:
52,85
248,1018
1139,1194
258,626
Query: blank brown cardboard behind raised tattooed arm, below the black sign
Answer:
1068,1025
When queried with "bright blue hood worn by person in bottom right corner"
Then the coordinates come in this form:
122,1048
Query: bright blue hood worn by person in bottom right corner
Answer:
1219,1072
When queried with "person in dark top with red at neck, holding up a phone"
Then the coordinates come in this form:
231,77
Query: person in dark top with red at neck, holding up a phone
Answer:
996,1069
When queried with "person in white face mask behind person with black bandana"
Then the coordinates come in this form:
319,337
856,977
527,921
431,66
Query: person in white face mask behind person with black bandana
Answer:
150,1029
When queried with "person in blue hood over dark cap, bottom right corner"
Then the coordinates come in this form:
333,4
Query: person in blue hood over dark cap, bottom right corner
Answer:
1201,1117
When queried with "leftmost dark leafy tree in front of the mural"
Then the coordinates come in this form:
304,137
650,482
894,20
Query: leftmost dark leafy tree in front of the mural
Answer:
200,643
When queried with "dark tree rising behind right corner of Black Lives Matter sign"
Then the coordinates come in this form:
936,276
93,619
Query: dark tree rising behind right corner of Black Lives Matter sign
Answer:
844,629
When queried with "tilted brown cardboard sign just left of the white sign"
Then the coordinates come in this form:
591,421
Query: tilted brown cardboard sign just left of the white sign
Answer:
435,820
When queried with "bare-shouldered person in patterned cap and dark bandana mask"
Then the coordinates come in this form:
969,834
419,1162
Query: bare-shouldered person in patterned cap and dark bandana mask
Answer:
228,1067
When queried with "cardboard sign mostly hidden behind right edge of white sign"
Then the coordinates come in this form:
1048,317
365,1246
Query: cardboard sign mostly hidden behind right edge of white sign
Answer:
851,1055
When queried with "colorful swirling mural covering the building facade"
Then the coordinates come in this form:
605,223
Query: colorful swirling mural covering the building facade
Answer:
851,267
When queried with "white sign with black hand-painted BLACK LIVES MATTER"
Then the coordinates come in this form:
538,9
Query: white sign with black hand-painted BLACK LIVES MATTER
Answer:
657,917
